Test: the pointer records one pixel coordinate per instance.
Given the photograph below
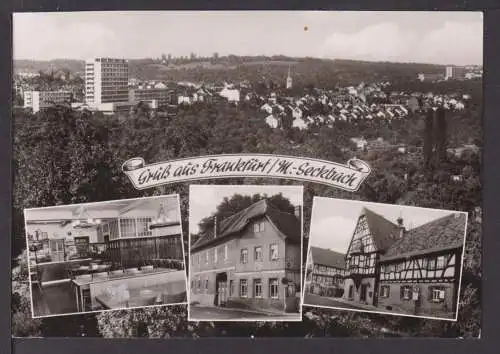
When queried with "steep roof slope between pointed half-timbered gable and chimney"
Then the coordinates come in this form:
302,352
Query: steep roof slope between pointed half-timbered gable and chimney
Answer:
383,231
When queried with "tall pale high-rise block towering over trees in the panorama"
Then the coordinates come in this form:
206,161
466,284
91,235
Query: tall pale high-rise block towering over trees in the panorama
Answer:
106,82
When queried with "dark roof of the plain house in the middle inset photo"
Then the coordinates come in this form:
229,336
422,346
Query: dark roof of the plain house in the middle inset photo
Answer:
287,223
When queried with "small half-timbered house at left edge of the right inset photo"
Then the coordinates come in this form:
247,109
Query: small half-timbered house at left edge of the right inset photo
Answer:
325,272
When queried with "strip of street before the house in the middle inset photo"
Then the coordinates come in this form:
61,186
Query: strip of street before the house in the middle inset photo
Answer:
197,313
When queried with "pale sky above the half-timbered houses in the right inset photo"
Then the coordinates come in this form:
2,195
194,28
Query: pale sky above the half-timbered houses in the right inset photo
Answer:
333,220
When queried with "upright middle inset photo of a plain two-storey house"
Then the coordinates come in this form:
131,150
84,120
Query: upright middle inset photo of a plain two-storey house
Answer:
245,253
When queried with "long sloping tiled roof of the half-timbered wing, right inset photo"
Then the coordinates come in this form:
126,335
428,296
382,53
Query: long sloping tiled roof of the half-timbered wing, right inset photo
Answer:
445,233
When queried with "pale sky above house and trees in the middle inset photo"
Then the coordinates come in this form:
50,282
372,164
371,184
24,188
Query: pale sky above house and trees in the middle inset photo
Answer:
203,199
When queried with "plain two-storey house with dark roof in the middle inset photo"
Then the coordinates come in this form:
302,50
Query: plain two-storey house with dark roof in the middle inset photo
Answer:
252,260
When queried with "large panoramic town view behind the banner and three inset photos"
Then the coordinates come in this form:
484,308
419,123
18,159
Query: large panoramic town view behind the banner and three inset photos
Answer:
391,89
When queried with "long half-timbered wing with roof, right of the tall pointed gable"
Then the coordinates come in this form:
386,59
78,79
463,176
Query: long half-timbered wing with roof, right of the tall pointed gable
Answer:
420,273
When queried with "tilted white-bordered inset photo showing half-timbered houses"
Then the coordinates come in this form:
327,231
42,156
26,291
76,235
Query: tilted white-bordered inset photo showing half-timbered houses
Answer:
385,258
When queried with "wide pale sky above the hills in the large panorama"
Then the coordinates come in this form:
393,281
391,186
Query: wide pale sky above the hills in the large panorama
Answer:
454,38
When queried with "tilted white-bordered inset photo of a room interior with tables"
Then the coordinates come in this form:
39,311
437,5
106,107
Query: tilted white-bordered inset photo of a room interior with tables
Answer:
105,256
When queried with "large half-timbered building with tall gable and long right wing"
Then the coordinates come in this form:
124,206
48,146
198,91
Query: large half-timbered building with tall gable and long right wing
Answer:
414,271
